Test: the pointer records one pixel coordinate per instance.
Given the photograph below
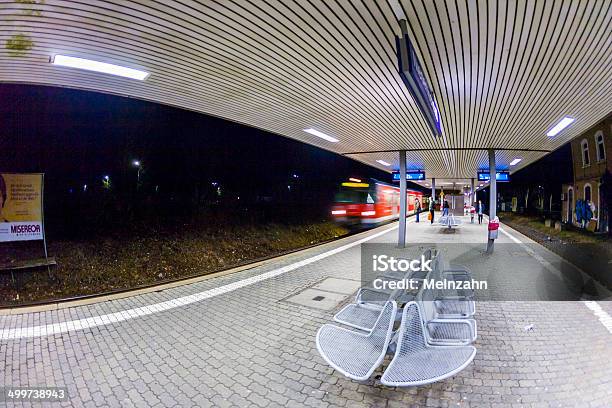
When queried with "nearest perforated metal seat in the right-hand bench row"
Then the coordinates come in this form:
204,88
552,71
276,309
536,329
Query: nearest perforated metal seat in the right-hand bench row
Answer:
417,363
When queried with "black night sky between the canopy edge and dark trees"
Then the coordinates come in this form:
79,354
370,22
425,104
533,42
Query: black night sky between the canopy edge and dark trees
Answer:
76,137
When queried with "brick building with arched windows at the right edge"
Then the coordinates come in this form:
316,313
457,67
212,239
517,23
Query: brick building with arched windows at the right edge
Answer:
590,160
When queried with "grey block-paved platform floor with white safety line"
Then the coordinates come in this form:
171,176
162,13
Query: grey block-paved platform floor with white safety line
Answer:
235,340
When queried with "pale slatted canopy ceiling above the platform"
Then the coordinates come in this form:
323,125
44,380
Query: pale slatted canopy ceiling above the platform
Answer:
503,72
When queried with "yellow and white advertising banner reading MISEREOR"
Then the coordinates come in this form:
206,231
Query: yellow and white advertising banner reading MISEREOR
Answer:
21,216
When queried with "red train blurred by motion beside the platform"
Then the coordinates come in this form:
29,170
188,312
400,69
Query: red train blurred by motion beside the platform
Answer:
371,202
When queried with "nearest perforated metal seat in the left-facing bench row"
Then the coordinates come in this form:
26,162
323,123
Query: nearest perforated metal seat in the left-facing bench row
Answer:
357,354
